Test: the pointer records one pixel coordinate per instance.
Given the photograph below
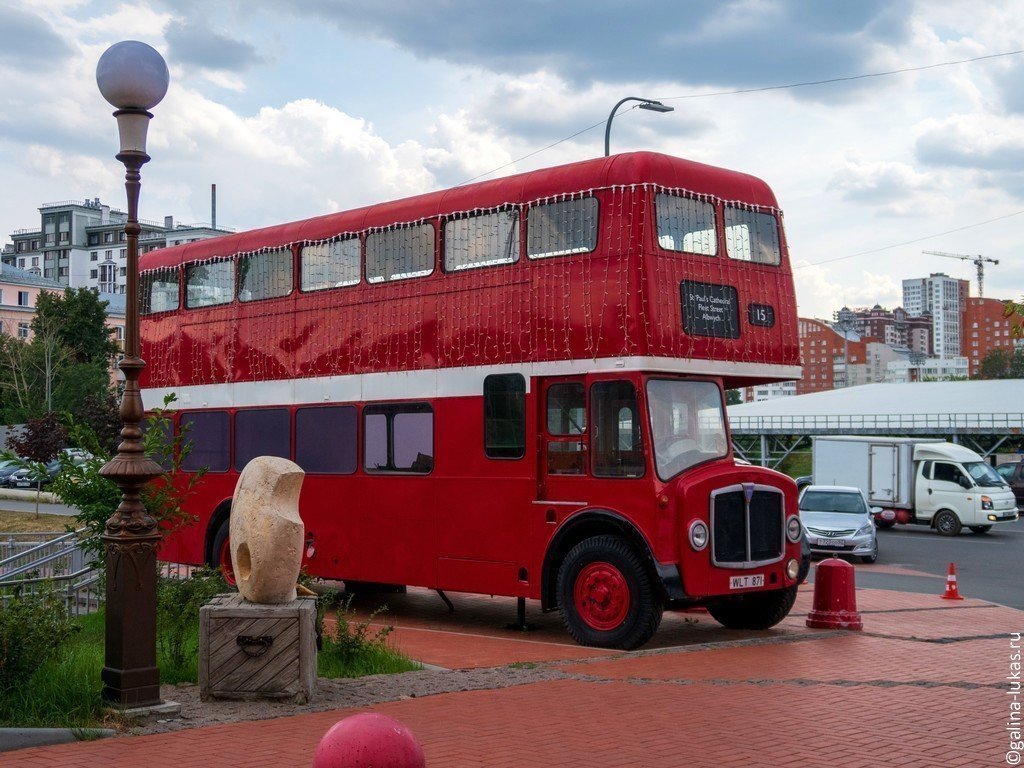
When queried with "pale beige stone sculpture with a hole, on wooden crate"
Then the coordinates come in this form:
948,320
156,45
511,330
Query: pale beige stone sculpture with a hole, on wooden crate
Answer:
267,533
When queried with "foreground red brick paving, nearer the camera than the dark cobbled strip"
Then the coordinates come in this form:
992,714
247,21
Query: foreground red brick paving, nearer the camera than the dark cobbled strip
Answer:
592,726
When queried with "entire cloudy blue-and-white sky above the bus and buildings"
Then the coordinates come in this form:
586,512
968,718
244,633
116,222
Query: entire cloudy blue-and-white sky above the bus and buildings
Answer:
297,108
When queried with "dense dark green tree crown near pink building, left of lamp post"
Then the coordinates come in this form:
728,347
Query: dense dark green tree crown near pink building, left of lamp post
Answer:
78,320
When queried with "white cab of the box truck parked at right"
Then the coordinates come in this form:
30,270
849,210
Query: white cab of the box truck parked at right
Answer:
954,488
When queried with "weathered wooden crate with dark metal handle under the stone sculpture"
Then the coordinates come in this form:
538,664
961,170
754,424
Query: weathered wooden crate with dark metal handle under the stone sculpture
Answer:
248,651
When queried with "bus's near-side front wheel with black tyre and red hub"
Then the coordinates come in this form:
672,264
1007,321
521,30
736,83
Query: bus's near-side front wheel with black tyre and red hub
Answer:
607,596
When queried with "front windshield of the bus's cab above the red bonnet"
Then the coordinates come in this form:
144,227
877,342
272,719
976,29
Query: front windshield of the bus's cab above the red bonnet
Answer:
688,424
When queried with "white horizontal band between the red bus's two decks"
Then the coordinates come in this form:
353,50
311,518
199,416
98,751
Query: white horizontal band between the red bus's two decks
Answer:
434,383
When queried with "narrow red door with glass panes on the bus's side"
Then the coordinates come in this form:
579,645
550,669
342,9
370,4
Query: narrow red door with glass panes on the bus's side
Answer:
564,450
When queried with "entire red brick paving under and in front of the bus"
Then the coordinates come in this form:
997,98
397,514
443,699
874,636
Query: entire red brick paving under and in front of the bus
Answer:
924,686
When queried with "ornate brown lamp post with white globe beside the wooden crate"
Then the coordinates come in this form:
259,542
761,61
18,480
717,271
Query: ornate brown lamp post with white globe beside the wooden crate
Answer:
134,78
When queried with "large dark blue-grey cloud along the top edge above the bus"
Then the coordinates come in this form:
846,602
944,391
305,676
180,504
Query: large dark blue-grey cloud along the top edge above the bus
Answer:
738,44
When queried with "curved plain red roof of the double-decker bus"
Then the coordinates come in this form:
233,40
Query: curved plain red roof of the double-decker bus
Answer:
631,168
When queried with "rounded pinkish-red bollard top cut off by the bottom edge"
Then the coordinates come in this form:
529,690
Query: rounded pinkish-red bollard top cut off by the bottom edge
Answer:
369,741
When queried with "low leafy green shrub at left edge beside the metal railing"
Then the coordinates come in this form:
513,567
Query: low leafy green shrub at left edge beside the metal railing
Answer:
33,629
